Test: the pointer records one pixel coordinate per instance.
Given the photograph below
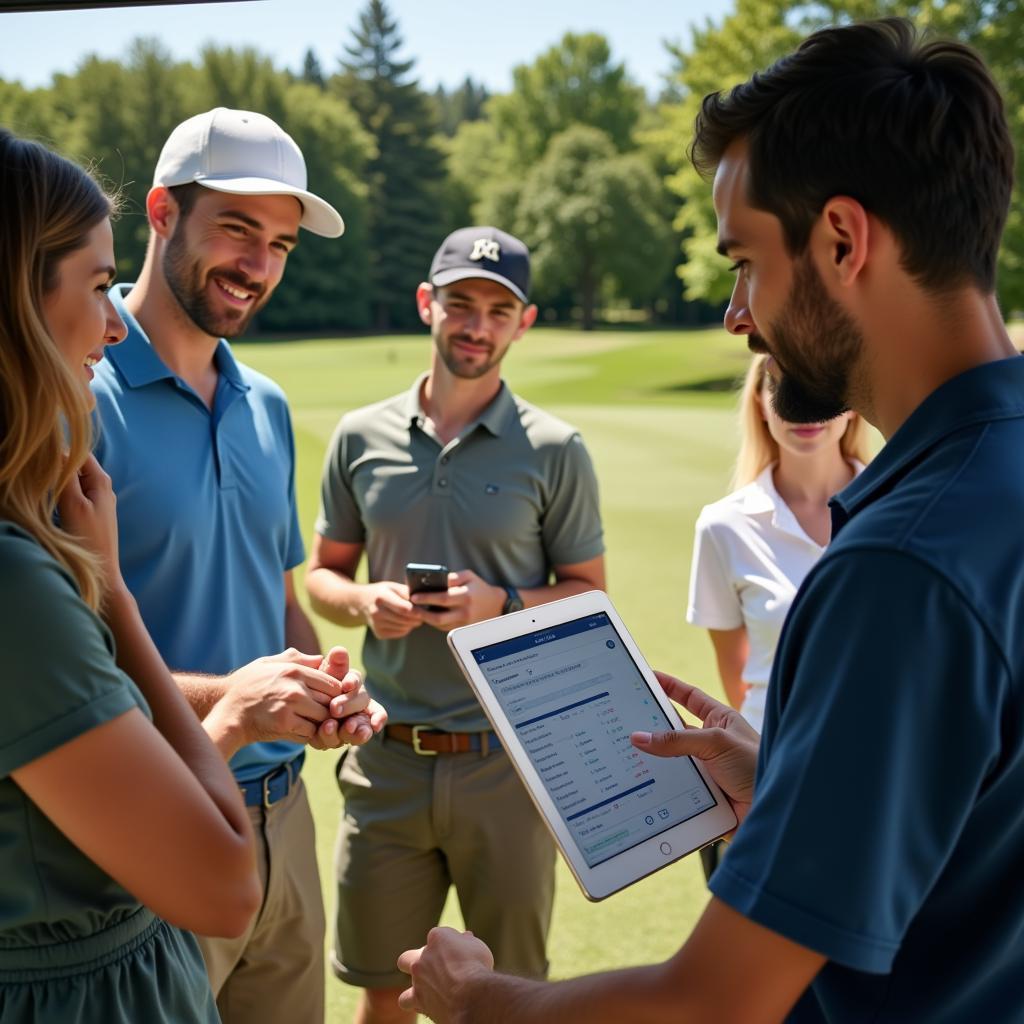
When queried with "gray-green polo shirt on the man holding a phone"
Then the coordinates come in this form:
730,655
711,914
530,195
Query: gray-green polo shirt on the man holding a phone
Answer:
509,498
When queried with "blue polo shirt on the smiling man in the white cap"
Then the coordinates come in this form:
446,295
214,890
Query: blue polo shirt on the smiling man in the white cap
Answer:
206,510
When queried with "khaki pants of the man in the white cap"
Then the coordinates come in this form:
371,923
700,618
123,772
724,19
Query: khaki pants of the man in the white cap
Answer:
274,973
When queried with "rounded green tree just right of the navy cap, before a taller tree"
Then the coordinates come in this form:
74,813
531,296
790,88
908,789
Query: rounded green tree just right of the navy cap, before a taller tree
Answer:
595,221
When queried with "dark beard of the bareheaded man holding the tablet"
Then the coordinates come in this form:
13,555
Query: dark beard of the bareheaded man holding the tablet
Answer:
817,346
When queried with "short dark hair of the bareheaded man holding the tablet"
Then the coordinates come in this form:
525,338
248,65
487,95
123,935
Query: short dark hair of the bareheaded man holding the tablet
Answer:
913,129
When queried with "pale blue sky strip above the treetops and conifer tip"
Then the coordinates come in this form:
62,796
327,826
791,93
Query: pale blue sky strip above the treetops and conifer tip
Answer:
449,38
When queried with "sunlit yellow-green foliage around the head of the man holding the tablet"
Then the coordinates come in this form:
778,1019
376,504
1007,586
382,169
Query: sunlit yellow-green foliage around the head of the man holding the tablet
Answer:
761,31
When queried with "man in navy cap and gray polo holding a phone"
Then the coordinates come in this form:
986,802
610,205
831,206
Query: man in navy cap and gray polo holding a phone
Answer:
457,472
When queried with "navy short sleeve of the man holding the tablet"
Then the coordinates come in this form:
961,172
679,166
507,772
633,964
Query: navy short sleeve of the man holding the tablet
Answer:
884,721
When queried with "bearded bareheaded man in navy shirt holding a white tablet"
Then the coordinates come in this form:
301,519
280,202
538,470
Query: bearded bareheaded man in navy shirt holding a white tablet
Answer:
862,187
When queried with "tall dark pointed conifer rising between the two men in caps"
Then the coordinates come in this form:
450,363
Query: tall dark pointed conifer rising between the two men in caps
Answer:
407,174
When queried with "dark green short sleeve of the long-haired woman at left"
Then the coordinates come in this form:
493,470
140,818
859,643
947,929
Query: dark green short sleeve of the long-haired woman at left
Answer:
60,678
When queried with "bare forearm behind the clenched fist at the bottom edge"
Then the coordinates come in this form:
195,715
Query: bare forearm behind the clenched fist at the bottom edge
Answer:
637,995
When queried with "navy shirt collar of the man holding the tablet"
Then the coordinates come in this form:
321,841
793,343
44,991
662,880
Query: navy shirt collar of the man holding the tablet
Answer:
987,394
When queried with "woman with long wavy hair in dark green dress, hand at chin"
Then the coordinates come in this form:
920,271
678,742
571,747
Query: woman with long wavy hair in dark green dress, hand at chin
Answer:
120,824
